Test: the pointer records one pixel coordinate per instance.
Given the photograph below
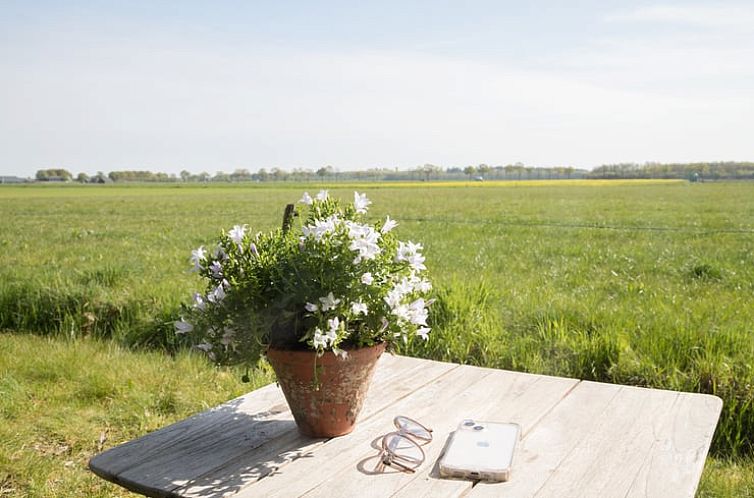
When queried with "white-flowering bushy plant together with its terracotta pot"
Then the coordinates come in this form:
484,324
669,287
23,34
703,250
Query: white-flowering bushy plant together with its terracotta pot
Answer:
322,298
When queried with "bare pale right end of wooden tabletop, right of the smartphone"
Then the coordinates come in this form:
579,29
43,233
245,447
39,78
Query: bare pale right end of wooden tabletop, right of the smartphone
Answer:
614,441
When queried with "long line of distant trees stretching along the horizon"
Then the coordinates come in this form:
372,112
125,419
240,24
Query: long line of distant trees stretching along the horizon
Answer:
426,172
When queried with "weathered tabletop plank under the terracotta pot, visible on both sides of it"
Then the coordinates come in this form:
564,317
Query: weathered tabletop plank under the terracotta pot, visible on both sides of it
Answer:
227,476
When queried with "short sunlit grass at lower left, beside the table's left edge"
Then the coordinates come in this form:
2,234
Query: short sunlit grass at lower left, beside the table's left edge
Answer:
63,401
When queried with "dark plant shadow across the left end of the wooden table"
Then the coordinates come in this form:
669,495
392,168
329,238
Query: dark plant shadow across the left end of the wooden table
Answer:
214,453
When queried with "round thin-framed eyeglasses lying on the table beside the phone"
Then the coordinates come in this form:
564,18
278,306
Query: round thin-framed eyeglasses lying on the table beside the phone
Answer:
402,449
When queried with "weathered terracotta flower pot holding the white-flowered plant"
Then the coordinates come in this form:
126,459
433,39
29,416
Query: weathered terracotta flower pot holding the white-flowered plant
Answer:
329,405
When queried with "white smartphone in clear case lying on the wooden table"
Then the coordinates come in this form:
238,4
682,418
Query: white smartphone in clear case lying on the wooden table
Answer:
480,451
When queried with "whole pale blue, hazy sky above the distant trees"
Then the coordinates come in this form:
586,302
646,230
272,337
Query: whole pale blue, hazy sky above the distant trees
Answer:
222,85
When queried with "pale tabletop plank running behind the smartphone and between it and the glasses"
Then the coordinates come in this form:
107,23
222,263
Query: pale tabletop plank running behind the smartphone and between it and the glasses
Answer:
521,401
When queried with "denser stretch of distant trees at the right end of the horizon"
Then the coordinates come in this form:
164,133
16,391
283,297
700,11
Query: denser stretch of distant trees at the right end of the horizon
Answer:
691,171
